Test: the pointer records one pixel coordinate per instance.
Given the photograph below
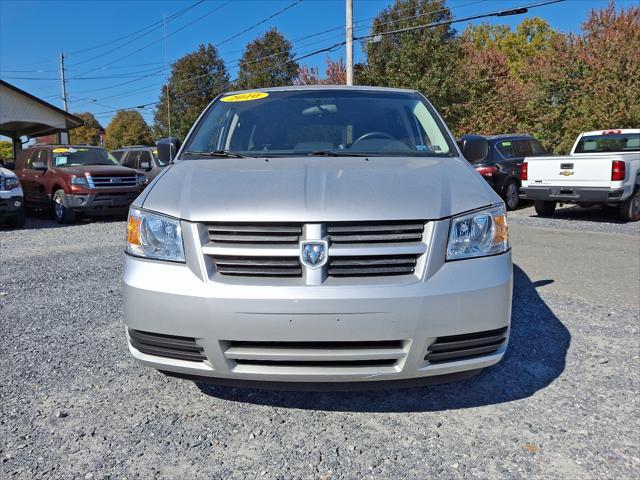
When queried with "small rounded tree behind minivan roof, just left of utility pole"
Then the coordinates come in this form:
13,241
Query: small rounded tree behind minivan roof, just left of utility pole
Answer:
267,61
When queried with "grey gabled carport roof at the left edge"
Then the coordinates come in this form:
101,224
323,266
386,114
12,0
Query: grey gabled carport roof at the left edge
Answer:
24,114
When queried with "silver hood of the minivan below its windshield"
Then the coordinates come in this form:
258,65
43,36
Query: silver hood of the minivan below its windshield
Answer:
318,189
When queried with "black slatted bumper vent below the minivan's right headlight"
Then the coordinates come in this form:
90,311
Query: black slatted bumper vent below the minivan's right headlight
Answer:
460,347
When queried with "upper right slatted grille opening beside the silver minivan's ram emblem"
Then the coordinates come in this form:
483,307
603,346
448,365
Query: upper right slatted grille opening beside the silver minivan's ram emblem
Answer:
375,232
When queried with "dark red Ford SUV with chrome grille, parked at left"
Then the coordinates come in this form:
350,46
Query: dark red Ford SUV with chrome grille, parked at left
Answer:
76,178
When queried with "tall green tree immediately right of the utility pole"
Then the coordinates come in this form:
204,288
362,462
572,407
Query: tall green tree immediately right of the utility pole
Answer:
426,59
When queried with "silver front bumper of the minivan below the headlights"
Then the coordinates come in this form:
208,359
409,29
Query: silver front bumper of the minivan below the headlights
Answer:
229,322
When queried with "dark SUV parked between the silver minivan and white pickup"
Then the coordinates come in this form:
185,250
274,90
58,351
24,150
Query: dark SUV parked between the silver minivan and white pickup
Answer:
501,167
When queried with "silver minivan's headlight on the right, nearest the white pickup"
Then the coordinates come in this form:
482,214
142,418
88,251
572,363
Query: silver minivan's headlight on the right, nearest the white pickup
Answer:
478,234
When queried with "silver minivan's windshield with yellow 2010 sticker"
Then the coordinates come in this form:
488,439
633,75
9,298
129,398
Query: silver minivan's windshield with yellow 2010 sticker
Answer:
331,122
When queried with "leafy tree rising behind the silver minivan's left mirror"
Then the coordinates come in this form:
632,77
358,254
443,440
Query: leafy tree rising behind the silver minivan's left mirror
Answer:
196,79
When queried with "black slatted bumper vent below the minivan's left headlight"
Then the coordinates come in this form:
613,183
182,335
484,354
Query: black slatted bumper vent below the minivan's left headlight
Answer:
170,346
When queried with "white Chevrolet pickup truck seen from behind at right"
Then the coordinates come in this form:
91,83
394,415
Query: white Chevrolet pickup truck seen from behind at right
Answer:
602,168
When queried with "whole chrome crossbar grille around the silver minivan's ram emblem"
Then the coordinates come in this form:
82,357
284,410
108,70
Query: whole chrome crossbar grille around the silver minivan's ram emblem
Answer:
356,249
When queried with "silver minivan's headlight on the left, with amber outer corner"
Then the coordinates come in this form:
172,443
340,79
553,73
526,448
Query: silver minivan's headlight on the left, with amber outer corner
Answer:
152,235
